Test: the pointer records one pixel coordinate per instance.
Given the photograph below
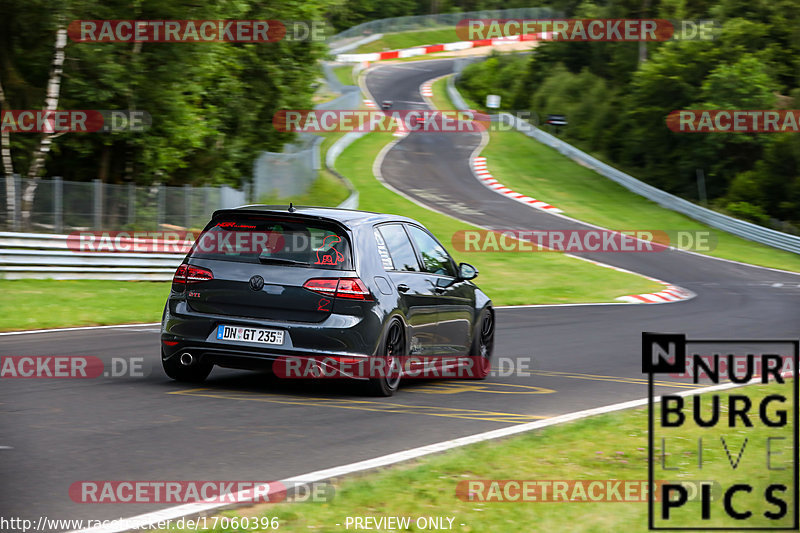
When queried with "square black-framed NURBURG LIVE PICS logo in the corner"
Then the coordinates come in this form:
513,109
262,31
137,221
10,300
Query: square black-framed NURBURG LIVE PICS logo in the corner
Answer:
742,439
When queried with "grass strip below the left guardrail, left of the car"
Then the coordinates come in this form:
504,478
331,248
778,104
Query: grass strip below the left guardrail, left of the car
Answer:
38,304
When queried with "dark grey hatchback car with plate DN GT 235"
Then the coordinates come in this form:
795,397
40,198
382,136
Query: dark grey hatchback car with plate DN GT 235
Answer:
264,285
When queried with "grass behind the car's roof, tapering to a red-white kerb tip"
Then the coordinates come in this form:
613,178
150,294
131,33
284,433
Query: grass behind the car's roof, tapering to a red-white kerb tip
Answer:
509,278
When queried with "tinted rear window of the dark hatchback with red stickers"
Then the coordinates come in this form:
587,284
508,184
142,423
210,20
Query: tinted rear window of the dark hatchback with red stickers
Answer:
277,241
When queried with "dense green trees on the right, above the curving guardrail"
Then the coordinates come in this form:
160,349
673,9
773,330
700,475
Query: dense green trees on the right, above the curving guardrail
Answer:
616,104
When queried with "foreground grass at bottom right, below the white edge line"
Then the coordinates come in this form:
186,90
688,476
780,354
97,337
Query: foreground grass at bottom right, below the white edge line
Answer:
606,447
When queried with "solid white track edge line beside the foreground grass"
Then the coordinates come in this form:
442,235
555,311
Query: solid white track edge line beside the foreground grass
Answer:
194,509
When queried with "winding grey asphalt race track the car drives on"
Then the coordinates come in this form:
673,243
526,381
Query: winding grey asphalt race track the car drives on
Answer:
242,426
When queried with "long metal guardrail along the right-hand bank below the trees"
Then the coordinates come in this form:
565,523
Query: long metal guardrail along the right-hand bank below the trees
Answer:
740,228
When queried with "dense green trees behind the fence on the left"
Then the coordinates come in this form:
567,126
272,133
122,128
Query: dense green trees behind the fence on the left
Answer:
211,103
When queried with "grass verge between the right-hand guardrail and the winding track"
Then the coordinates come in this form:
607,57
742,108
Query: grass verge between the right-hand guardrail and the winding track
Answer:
529,167
